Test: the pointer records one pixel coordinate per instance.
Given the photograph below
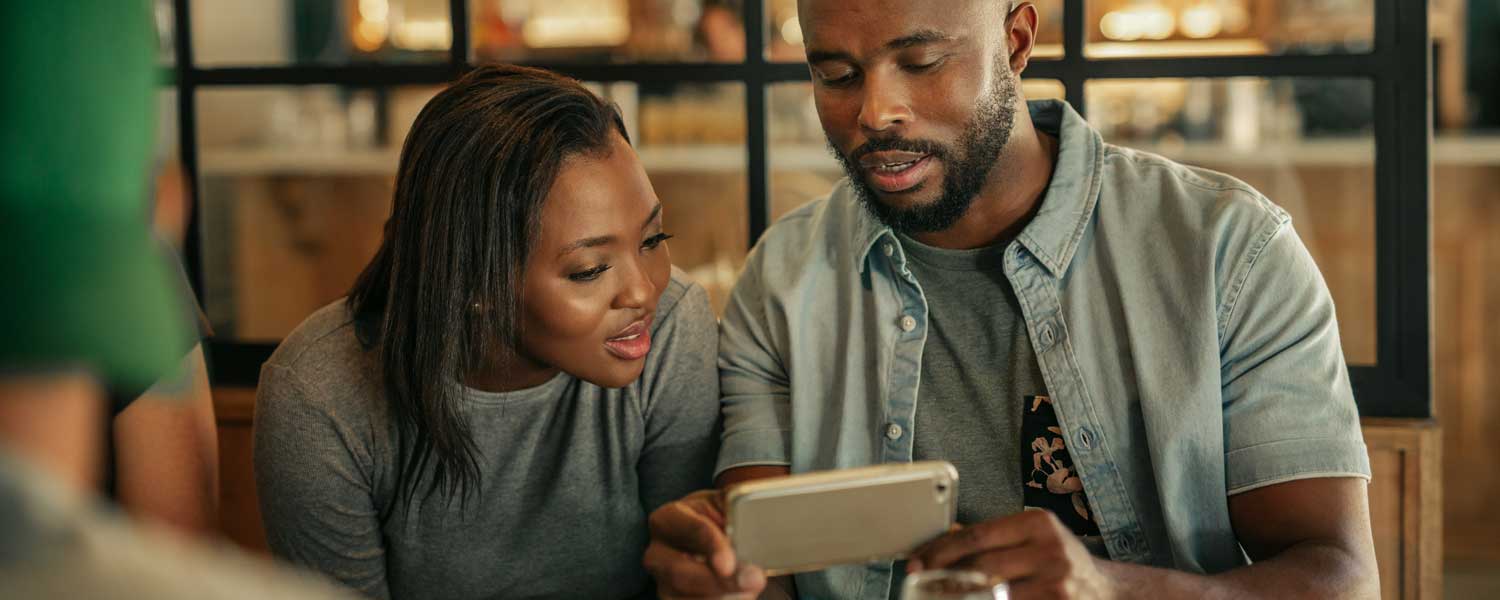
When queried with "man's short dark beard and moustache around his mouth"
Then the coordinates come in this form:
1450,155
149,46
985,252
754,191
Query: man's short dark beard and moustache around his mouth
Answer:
965,172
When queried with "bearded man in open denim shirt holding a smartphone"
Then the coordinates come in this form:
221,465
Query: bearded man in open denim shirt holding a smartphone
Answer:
1142,350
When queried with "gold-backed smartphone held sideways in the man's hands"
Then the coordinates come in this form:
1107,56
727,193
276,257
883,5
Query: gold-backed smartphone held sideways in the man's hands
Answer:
821,520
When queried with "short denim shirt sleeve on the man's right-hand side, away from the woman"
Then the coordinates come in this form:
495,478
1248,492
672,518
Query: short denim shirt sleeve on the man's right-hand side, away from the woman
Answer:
1289,409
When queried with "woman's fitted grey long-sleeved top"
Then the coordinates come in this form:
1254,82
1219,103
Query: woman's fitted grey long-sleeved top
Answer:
569,470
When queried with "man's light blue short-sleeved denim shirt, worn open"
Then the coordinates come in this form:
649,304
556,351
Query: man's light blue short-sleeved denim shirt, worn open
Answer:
1186,337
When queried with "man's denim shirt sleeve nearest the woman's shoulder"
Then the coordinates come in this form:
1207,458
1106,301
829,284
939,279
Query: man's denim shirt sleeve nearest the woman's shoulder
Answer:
752,376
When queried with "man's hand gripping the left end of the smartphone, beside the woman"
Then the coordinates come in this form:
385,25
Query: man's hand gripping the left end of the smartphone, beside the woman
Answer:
691,556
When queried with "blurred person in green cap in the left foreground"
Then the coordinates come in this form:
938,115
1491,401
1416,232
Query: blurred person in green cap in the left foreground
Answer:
88,307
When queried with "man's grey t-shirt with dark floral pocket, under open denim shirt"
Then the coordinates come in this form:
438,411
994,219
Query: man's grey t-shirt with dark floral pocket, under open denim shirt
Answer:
979,367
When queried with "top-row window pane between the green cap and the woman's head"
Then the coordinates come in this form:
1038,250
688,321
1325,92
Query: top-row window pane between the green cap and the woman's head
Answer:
322,32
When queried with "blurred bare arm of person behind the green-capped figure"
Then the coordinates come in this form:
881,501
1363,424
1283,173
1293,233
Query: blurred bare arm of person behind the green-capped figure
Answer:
167,452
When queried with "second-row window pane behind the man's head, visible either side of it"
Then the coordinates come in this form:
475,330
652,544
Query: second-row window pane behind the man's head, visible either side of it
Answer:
802,166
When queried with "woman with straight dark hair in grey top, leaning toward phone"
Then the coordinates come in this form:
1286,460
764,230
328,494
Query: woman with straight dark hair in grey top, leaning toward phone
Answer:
517,380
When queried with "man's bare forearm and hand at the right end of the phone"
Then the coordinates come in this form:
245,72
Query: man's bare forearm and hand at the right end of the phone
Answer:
1310,539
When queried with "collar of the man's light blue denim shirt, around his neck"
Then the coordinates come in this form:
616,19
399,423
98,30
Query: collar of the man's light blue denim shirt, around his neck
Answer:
1067,206
